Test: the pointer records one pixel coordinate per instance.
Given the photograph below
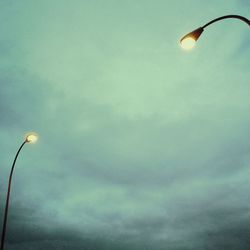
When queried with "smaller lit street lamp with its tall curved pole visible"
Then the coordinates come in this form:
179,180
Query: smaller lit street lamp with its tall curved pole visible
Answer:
30,138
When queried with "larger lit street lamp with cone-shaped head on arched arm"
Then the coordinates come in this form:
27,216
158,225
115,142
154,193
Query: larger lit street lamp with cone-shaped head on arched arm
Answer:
188,41
